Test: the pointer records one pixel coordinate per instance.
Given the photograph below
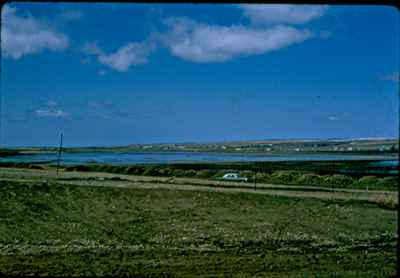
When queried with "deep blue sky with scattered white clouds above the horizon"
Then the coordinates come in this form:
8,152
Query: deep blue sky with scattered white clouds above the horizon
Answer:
117,74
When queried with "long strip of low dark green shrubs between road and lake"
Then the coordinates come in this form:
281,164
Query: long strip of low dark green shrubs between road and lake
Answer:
309,175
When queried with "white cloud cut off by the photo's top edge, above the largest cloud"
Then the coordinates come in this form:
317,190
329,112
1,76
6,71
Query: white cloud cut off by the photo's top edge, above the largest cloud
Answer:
282,13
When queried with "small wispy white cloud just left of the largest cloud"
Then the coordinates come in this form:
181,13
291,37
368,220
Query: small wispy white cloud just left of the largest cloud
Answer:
134,53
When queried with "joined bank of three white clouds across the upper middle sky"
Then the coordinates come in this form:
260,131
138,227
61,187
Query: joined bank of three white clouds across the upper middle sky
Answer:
271,29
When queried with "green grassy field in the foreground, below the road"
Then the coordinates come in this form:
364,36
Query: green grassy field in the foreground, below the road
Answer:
55,228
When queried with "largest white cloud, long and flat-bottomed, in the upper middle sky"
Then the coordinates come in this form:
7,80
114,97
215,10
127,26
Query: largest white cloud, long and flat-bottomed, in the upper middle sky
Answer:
204,43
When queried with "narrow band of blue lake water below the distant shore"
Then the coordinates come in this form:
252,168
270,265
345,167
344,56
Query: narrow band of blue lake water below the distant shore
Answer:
173,157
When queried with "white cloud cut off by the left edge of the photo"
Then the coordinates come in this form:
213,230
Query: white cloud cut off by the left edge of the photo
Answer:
26,35
